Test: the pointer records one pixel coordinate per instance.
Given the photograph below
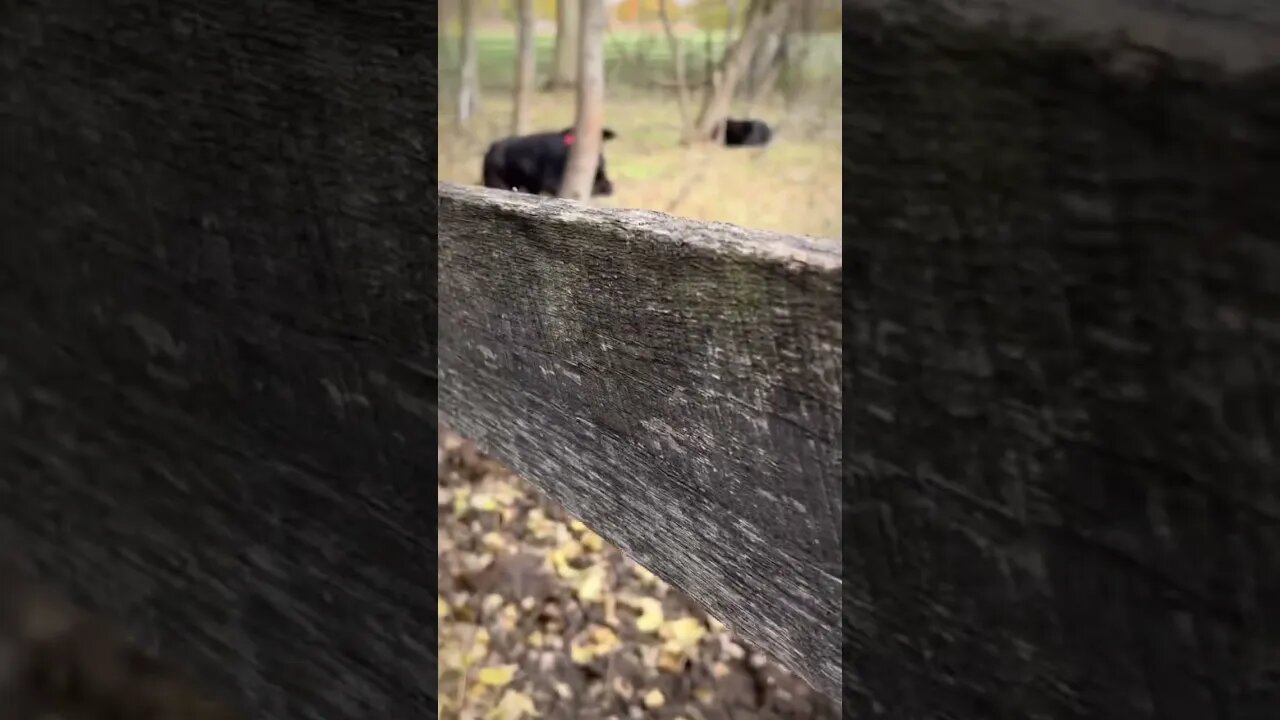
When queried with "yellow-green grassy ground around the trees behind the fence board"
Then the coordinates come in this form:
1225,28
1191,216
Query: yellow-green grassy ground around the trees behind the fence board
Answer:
792,186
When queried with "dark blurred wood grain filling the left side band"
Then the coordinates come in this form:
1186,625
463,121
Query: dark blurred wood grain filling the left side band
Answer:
217,327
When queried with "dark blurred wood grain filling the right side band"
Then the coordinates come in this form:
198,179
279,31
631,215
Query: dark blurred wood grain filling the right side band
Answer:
1064,368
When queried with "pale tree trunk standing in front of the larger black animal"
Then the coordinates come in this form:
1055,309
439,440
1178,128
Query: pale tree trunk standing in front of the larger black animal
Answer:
586,154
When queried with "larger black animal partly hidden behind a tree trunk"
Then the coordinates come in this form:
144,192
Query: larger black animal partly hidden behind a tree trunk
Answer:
536,163
